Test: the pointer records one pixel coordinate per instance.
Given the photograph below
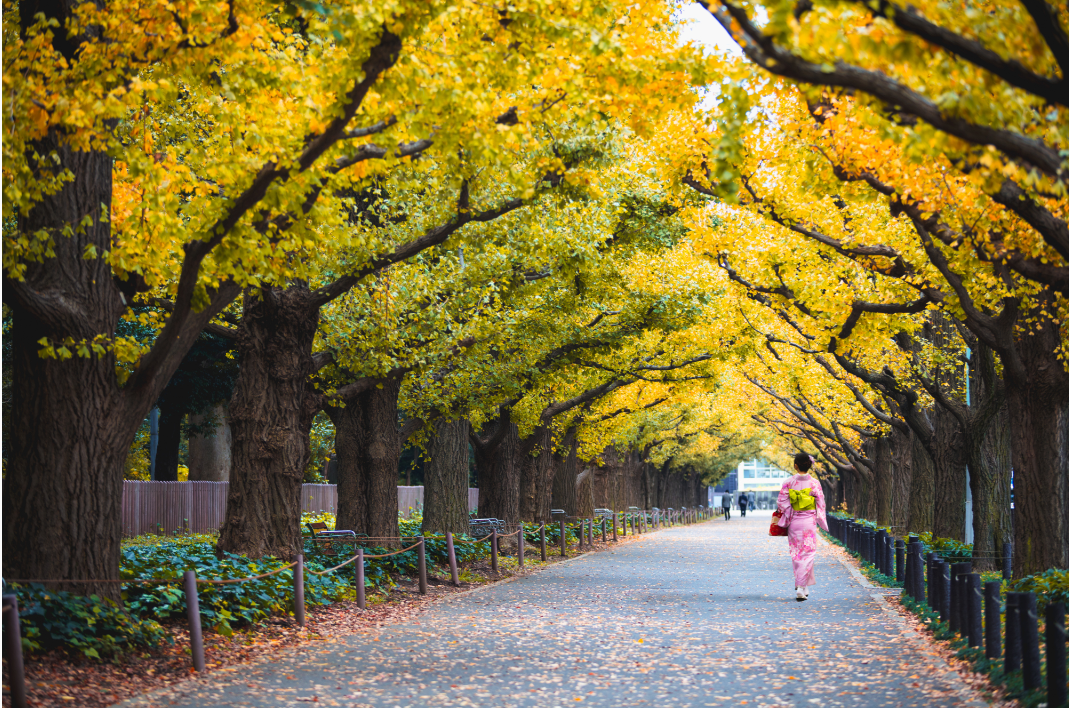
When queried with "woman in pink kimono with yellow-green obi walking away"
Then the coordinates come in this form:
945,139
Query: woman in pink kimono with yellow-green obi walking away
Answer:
802,510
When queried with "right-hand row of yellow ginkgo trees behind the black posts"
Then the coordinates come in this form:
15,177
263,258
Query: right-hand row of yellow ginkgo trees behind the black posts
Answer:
903,180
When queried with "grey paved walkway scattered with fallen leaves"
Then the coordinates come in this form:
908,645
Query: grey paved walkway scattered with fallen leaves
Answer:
691,617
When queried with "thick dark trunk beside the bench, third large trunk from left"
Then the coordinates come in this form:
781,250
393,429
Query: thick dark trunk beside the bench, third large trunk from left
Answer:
369,445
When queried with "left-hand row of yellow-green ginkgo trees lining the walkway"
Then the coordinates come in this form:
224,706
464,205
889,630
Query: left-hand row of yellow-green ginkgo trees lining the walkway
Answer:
436,223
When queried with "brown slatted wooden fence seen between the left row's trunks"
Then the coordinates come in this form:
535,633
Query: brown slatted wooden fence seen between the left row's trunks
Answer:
158,507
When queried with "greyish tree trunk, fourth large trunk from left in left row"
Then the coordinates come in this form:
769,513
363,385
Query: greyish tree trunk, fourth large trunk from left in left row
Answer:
445,480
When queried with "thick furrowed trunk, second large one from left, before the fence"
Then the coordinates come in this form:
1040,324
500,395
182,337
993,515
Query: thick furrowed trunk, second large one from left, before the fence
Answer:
271,417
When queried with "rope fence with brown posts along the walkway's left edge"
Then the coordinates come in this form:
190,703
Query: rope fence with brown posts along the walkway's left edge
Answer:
640,521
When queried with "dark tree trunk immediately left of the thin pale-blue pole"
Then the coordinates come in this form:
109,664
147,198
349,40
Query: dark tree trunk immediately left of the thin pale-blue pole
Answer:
950,464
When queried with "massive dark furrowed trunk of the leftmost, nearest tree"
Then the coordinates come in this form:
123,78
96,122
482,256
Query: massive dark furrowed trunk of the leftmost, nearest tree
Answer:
71,427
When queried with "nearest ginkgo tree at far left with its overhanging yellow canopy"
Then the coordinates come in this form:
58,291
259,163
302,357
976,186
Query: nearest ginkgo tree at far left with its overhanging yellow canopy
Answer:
197,151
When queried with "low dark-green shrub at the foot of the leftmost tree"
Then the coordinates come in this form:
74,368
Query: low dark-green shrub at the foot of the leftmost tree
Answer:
95,627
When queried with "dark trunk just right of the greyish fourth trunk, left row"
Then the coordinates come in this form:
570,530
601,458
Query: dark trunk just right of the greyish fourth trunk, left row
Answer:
498,463
